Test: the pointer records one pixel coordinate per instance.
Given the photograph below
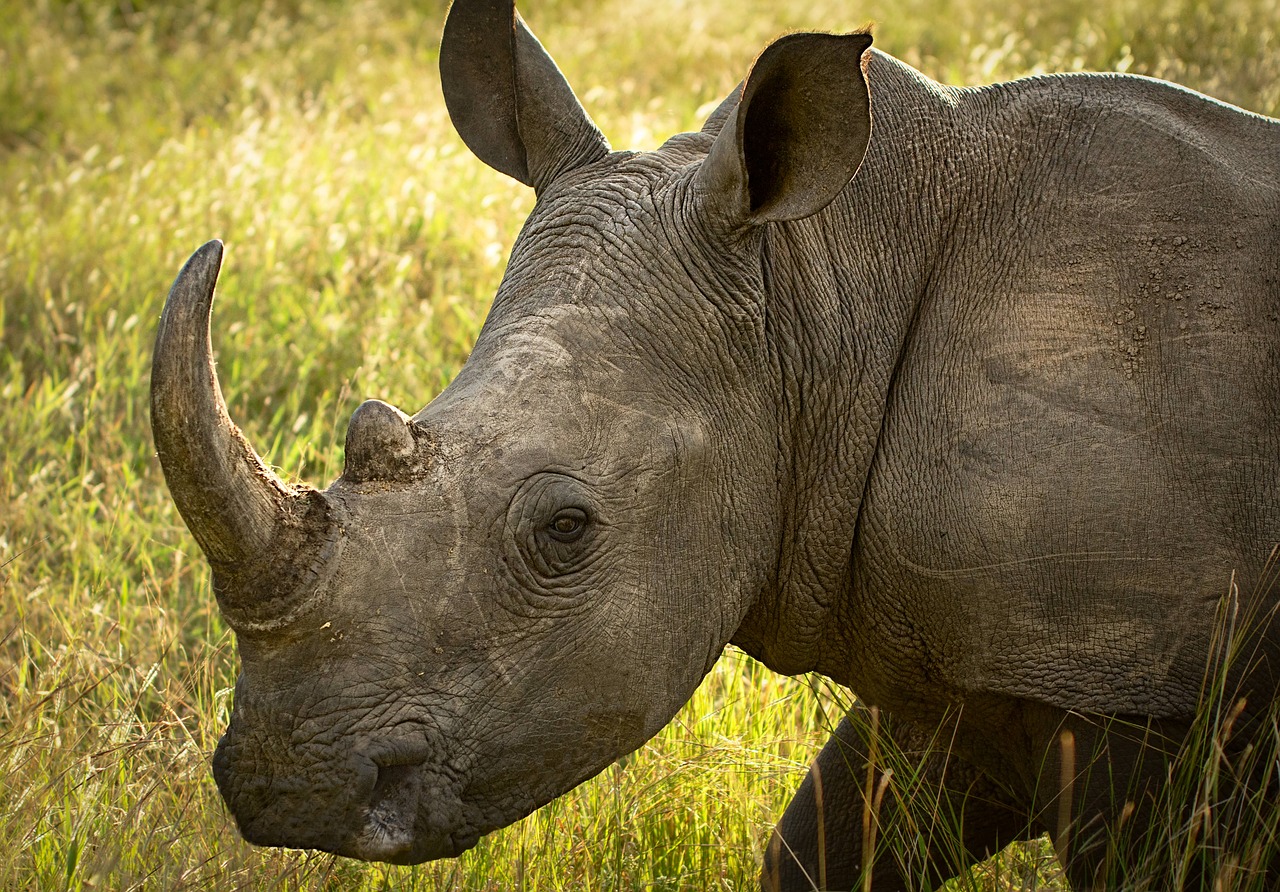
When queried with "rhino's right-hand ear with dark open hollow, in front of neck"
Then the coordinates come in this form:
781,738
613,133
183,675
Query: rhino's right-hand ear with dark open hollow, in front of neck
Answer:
799,132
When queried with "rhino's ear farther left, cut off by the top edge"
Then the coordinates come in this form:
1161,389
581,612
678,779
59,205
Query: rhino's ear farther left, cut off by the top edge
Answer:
509,100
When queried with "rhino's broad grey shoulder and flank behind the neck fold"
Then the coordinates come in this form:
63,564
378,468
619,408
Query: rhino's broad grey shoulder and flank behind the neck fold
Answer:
1082,436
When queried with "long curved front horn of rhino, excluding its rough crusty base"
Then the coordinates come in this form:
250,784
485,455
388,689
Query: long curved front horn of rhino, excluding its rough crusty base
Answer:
230,500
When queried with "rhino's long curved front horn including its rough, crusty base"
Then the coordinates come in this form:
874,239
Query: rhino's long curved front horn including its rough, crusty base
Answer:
245,519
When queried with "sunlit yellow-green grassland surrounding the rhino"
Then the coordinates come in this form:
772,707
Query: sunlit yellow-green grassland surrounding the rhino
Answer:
364,245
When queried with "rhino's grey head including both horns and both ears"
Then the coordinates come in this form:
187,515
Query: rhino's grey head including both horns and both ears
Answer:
524,582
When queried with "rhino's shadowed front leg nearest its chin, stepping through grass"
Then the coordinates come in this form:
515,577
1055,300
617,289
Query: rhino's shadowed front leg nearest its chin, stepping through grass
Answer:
820,843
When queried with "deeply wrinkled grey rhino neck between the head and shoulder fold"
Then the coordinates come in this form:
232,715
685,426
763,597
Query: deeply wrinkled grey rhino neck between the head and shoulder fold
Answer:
844,289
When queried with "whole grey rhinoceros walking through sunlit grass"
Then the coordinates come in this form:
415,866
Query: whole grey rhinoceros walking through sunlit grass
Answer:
966,399
